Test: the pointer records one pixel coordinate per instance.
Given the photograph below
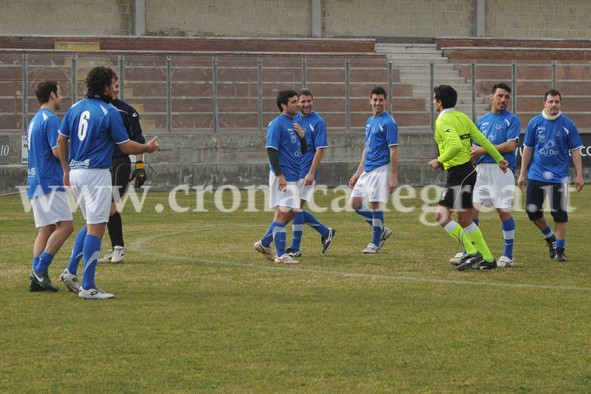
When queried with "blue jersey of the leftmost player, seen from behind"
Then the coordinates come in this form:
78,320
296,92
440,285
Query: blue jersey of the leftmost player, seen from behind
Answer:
45,172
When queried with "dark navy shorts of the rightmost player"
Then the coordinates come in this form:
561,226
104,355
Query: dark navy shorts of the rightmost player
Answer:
537,192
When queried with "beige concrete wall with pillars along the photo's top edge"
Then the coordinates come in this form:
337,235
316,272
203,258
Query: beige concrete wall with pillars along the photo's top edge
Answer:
533,19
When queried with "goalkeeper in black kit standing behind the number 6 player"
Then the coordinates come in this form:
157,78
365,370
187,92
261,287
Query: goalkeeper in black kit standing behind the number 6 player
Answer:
121,175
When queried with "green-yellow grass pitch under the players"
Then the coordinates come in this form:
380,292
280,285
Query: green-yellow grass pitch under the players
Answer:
198,310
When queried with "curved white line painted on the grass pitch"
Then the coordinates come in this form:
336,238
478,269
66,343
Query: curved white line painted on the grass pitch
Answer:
139,247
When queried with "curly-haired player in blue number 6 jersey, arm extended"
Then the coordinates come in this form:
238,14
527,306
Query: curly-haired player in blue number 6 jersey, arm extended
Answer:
87,136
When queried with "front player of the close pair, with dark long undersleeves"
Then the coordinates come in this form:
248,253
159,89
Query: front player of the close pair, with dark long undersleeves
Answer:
286,142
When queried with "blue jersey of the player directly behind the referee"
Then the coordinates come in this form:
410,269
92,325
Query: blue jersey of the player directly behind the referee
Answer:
499,128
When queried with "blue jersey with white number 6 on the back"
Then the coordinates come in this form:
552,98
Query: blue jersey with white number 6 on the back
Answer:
94,127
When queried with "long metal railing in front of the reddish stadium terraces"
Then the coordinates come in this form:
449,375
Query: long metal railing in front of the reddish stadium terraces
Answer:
221,92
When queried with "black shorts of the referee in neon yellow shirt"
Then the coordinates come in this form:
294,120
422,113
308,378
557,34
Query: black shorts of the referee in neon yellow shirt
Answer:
457,194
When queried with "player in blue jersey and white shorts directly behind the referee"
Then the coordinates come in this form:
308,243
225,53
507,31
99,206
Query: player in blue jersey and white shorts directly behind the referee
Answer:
494,187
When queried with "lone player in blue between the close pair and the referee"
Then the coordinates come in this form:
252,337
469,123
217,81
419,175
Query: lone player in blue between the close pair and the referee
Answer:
377,174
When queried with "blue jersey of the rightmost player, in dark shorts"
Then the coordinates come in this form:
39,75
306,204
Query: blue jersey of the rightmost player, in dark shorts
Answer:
551,142
